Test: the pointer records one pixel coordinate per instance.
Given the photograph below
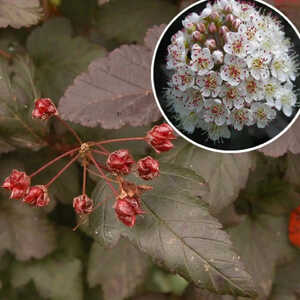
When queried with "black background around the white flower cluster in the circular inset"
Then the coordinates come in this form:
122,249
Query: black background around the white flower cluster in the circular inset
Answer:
248,137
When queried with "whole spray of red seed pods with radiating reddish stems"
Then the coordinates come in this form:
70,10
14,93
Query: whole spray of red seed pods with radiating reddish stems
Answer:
118,163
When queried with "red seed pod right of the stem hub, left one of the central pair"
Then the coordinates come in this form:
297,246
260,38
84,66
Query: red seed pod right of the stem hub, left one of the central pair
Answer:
120,162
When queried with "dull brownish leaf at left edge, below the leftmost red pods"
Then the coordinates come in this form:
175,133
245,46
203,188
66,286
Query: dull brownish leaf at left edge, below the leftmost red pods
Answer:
25,231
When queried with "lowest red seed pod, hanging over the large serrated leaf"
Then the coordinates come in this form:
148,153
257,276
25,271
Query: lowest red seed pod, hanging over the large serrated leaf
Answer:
127,209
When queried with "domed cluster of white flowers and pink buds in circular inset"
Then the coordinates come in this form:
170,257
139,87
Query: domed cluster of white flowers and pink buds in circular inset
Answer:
232,66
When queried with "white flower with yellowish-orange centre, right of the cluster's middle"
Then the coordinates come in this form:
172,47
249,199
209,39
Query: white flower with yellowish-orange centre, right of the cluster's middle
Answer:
258,63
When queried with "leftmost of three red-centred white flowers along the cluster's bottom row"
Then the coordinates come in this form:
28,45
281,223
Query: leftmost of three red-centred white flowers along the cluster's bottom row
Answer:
216,112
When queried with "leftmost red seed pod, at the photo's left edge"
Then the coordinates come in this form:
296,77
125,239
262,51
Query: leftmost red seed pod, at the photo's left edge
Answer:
18,183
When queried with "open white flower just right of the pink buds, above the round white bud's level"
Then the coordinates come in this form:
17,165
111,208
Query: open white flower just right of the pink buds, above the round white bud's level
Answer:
237,44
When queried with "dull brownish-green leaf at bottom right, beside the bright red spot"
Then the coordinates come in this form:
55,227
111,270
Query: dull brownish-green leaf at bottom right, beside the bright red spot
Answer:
262,244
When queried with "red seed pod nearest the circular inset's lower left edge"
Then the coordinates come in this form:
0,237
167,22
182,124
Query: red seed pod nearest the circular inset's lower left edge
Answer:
159,137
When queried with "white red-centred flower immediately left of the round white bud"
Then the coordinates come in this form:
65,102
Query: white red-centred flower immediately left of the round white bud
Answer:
202,61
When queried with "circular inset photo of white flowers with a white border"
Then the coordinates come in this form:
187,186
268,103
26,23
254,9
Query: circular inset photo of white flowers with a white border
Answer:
225,74
